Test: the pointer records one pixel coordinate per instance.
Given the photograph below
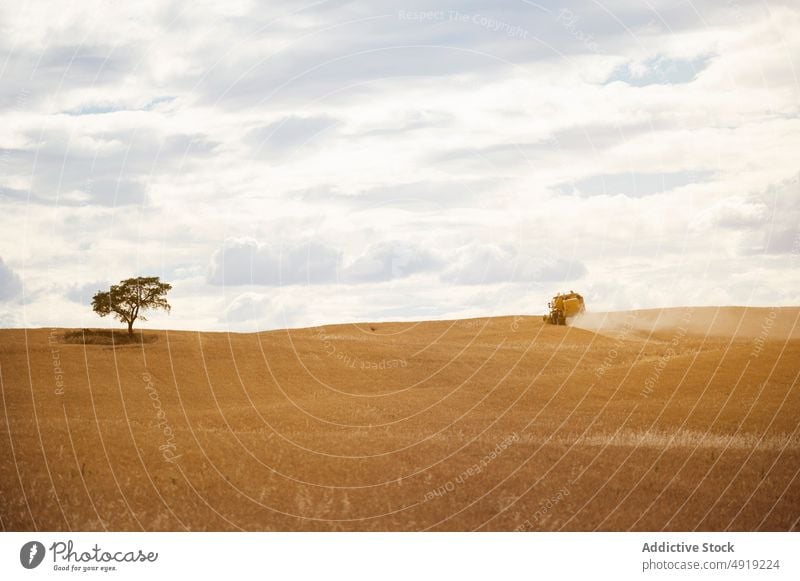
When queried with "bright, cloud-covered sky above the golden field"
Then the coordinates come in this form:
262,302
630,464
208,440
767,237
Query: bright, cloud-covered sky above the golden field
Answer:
310,162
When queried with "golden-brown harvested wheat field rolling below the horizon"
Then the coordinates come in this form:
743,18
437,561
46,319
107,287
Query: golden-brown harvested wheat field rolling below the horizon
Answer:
678,419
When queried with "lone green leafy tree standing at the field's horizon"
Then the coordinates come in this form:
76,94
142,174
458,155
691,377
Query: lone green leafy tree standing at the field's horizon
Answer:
127,299
